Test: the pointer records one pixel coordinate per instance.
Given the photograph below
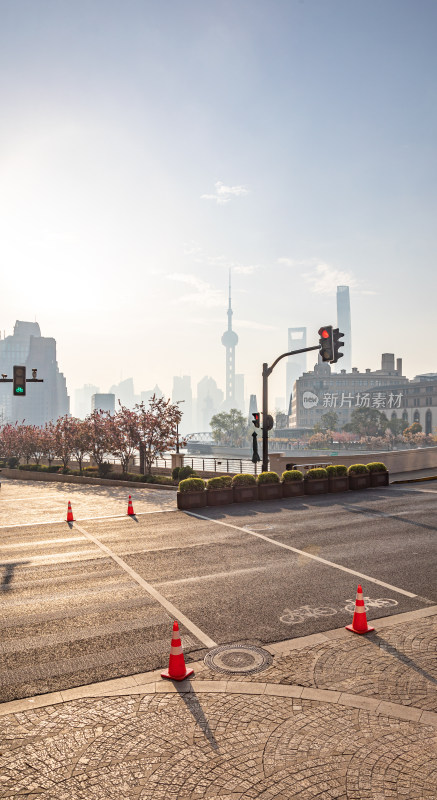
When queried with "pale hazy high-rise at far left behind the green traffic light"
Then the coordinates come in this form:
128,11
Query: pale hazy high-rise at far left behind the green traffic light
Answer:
43,401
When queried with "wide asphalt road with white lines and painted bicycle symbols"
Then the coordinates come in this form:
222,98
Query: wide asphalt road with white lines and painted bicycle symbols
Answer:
95,599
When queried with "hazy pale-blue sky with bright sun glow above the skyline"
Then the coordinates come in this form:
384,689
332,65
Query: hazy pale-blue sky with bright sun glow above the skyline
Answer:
146,147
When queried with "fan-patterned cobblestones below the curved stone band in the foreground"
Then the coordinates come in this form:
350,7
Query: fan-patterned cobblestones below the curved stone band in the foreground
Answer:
172,746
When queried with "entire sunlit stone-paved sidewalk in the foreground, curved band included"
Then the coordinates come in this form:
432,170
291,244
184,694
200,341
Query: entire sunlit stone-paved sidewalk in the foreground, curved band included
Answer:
334,716
